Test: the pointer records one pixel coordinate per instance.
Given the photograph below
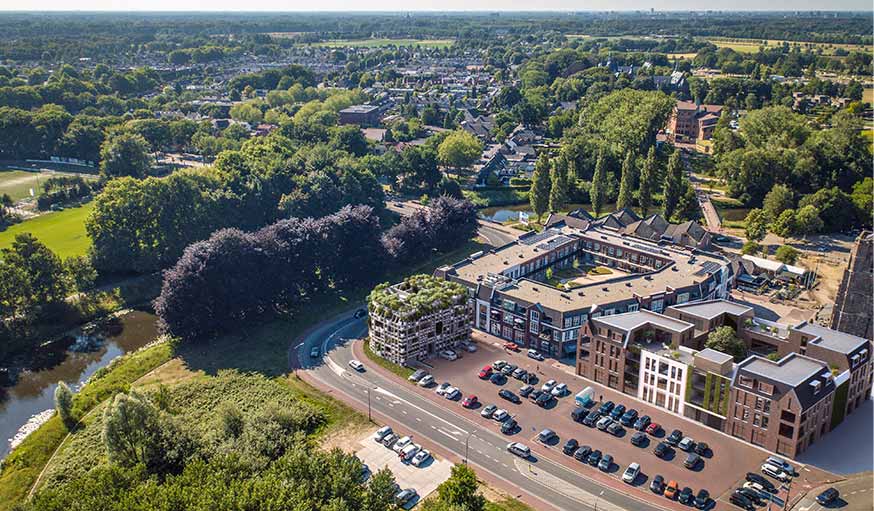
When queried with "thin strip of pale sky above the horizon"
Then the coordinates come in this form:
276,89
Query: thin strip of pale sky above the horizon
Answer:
427,5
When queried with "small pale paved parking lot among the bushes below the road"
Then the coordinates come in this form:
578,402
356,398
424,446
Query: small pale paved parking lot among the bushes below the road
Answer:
424,478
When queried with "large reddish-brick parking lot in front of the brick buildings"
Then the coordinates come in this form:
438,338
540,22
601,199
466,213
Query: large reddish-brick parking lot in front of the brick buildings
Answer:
722,468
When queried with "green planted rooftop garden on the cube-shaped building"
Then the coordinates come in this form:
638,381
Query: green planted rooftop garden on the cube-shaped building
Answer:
416,296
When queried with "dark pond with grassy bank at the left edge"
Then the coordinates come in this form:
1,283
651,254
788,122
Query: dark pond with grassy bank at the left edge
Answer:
34,391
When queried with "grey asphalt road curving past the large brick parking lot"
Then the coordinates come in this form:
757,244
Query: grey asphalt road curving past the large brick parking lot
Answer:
410,413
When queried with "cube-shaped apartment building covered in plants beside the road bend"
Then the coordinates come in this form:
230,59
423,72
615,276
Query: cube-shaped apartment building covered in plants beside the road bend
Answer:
417,318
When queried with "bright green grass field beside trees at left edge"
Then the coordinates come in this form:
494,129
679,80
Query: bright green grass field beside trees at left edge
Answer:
63,231
